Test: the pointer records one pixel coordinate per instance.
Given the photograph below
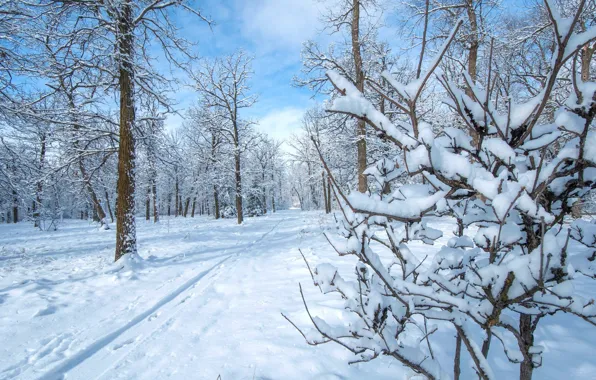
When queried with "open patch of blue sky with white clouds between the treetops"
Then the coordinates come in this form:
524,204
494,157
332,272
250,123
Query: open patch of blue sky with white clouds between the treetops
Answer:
273,32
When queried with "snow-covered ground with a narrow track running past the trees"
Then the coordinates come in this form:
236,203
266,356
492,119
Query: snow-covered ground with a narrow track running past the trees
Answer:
205,302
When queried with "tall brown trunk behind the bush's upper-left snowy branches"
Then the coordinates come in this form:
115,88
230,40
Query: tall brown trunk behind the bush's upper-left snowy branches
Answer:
361,128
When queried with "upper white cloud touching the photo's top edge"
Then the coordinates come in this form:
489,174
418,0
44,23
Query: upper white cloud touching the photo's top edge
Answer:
283,24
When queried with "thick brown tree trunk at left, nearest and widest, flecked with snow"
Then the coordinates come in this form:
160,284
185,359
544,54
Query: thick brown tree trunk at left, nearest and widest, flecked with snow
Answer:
126,240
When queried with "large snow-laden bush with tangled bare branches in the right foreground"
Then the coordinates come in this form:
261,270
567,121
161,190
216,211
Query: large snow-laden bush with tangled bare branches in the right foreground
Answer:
509,175
